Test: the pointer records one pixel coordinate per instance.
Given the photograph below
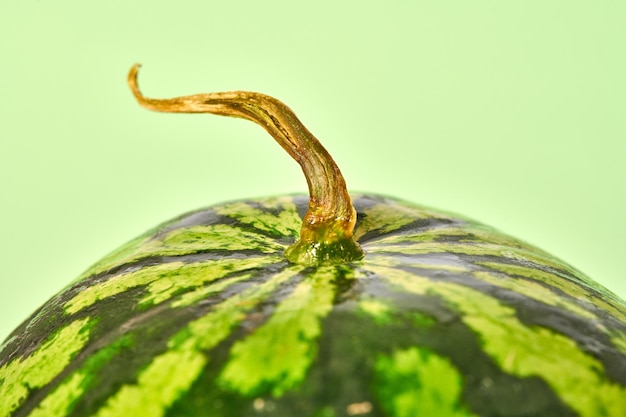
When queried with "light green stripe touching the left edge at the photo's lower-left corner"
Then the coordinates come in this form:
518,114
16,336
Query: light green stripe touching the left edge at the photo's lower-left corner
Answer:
21,375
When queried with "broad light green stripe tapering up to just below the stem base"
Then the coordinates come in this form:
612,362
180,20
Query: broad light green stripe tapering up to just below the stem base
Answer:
279,353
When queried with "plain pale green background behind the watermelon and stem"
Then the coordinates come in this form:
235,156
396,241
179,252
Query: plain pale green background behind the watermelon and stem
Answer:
513,113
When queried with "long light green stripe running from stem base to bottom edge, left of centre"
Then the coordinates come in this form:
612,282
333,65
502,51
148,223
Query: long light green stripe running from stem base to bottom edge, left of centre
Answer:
171,374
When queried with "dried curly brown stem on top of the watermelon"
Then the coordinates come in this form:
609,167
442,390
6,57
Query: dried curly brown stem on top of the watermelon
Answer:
326,234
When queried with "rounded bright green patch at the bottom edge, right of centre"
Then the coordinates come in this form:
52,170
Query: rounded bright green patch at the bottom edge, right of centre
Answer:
415,382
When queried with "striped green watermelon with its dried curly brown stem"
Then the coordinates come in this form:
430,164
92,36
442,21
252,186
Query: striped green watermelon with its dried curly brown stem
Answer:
319,305
